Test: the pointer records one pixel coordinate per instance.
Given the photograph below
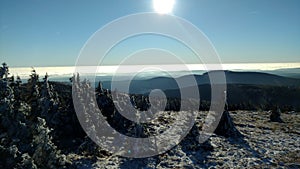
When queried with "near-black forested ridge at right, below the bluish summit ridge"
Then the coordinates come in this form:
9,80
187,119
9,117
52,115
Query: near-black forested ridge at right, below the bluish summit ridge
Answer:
245,96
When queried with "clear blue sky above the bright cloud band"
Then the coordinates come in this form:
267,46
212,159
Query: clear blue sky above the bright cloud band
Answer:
52,32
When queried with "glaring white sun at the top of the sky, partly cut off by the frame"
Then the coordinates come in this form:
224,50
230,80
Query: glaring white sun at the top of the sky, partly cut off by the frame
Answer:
163,6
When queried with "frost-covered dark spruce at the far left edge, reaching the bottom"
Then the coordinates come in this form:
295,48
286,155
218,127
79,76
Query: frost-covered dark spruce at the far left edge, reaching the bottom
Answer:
13,127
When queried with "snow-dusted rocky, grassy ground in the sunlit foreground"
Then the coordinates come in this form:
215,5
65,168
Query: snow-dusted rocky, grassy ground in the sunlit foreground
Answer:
264,145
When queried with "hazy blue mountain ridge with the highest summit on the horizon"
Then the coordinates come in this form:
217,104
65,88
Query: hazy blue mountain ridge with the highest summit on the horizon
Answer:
167,83
